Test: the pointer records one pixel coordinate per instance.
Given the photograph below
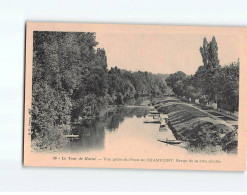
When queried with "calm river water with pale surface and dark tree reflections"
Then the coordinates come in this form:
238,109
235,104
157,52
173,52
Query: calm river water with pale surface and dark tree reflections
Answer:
123,132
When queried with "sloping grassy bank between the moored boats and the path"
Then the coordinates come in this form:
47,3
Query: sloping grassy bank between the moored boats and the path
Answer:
200,130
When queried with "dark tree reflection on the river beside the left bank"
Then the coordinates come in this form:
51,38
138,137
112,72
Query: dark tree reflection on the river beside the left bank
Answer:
92,132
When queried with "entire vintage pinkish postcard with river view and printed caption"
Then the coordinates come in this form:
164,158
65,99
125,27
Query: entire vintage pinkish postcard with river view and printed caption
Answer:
135,96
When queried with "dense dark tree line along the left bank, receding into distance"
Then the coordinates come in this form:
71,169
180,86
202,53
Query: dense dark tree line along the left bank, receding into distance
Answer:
71,80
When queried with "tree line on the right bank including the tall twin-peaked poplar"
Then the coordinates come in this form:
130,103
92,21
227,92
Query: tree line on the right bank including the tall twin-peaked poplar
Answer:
211,82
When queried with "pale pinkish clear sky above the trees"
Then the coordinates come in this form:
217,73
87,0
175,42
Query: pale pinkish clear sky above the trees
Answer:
163,53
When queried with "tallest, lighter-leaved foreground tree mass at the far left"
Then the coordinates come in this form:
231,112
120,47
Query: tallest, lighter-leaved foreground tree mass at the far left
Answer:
59,62
